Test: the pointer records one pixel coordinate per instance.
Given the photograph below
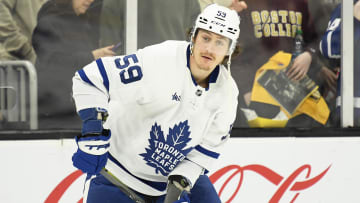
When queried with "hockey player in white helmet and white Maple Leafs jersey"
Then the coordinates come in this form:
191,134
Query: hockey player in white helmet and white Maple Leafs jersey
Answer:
155,120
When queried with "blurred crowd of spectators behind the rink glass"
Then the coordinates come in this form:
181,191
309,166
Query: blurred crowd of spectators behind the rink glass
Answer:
281,42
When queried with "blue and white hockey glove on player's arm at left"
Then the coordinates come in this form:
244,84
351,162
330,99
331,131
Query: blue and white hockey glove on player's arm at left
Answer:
94,142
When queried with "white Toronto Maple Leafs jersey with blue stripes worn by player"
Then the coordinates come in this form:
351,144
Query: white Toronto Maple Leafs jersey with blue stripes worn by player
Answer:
162,123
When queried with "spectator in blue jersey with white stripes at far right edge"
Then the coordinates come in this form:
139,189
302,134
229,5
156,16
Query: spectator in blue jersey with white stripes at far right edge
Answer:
330,47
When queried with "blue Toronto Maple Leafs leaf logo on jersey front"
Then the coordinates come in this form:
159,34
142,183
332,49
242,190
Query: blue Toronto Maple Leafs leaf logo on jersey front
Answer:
164,155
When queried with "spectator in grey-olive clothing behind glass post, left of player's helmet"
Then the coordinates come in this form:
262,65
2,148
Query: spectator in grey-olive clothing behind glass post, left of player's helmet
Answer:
158,20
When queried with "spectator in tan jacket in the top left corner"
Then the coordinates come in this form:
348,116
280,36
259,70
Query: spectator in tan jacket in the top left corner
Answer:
17,21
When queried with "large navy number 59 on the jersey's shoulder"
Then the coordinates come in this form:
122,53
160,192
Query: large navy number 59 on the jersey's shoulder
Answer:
130,71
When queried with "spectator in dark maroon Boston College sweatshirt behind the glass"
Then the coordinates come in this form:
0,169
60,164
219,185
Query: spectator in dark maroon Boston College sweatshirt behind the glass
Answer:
266,28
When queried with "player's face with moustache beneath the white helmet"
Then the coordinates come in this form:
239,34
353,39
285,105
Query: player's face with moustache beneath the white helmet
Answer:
209,50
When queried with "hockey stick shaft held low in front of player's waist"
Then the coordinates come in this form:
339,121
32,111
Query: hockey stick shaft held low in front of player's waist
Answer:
131,194
